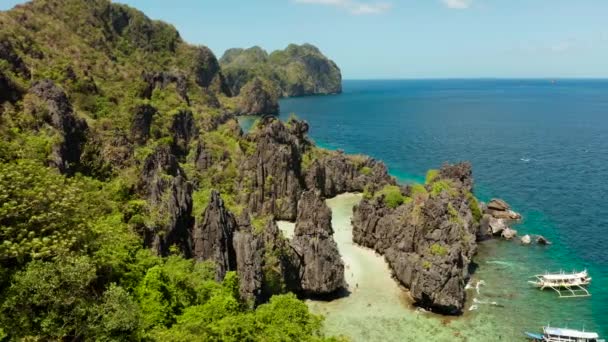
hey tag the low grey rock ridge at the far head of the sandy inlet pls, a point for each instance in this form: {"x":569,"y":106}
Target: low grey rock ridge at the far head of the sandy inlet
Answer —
{"x":340,"y":173}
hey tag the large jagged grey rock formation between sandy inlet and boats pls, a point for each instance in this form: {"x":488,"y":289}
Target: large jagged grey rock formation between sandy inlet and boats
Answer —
{"x":428,"y":241}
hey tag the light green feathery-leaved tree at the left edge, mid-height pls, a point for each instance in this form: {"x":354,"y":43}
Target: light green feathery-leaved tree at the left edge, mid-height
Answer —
{"x":42,"y":214}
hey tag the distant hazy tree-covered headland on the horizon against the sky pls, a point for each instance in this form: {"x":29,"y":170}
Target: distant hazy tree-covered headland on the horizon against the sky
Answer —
{"x":298,"y":70}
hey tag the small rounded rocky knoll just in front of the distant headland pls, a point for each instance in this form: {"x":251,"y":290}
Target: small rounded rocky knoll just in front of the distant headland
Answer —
{"x":256,"y":99}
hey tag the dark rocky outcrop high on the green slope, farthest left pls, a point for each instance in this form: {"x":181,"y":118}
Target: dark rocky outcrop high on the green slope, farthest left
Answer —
{"x":73,"y":130}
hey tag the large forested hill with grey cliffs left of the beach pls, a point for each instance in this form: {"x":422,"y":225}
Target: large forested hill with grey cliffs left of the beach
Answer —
{"x":133,"y":207}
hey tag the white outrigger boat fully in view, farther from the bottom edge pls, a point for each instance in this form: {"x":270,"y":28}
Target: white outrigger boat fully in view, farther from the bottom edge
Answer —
{"x":567,"y":285}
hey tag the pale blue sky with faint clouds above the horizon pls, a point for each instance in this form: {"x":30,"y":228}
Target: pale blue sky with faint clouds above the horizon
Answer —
{"x":373,"y":39}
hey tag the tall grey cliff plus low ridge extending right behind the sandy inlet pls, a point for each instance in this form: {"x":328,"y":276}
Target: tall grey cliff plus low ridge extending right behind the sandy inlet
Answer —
{"x":273,"y":178}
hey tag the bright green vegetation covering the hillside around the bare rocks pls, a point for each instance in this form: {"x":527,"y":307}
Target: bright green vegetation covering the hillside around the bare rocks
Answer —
{"x":72,"y":261}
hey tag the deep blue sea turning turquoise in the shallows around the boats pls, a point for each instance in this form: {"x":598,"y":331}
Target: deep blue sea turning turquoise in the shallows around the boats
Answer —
{"x":541,"y":145}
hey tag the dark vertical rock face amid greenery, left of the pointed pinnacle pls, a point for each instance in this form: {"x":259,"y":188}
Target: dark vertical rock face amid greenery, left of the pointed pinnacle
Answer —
{"x":169,"y":196}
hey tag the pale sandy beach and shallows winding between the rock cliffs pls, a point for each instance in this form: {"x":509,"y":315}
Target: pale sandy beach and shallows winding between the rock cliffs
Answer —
{"x":377,"y":308}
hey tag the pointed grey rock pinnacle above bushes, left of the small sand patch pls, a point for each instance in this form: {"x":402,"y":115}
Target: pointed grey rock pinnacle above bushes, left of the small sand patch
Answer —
{"x":213,"y":236}
